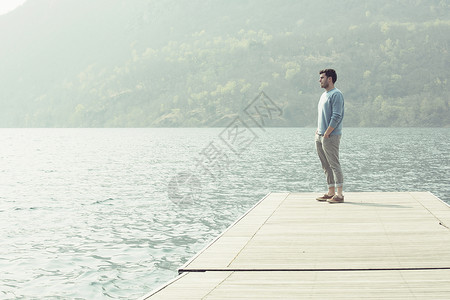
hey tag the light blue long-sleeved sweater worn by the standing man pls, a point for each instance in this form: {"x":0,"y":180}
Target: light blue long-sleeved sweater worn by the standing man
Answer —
{"x":331,"y":111}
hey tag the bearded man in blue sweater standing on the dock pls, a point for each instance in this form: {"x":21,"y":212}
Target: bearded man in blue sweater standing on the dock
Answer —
{"x":328,"y":135}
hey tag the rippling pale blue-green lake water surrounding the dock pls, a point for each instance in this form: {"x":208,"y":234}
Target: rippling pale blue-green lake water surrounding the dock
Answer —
{"x":112,"y":213}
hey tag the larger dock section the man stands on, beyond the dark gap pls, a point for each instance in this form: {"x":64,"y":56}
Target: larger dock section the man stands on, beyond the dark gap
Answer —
{"x":369,"y":231}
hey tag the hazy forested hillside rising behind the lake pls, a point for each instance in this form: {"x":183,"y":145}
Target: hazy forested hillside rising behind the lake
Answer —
{"x":145,"y":63}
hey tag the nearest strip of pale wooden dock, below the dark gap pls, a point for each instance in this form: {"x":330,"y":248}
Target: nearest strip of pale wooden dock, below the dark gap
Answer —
{"x":395,"y":284}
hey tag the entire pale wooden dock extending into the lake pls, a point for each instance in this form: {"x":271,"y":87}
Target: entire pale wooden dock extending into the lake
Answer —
{"x":289,"y":246}
